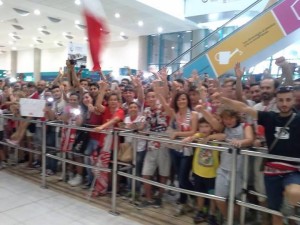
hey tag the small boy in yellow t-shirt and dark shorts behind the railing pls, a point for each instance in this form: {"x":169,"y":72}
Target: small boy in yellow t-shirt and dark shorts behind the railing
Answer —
{"x":205,"y":165}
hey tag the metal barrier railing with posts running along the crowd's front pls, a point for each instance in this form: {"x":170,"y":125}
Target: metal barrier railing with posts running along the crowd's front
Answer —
{"x":165,"y":139}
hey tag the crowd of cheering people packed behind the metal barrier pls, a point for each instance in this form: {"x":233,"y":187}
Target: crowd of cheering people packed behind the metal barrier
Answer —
{"x":263,"y":114}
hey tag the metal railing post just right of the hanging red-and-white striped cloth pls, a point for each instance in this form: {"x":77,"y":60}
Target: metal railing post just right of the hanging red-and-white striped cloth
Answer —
{"x":114,"y":174}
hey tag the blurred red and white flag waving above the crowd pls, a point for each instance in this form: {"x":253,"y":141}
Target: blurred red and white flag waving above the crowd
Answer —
{"x":96,"y":29}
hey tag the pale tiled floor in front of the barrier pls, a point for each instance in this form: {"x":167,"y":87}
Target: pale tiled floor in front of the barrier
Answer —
{"x":25,"y":203}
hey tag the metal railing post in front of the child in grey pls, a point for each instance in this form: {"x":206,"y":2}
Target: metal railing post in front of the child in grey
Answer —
{"x":231,"y":202}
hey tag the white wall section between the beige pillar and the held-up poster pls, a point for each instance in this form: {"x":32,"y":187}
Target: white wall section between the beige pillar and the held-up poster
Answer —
{"x":53,"y":59}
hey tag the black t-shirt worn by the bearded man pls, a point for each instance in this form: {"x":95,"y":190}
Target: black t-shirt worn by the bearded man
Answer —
{"x":289,"y":140}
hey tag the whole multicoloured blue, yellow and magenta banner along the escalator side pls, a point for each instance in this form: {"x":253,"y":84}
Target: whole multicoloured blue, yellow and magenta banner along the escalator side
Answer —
{"x":260,"y":39}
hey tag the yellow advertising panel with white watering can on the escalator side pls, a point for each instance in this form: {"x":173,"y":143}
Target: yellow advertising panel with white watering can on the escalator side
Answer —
{"x":245,"y":43}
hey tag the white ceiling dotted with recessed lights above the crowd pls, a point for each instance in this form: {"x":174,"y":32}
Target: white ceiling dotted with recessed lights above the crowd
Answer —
{"x":131,"y":12}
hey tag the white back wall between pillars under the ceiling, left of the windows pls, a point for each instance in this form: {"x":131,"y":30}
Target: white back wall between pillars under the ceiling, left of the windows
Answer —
{"x":116,"y":55}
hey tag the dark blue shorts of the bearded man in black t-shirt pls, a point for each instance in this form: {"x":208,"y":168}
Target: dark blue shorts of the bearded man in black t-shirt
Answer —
{"x":275,"y":186}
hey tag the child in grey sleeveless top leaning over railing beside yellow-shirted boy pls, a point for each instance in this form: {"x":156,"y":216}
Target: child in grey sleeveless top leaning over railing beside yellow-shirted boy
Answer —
{"x":238,"y":135}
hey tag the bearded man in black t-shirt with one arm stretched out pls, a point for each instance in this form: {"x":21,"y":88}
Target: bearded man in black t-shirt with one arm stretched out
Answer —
{"x":282,"y":178}
